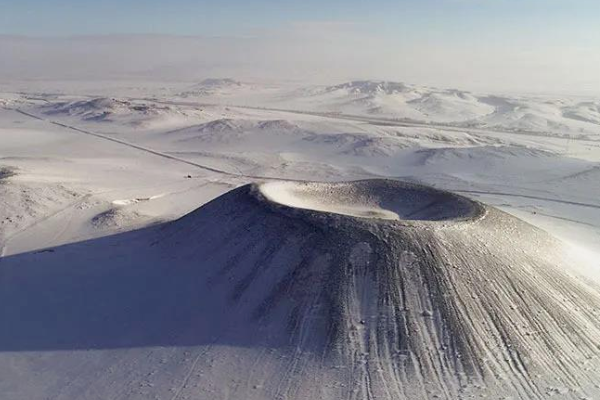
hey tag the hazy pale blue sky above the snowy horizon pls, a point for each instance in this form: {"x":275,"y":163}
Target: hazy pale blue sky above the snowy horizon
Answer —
{"x":533,"y":45}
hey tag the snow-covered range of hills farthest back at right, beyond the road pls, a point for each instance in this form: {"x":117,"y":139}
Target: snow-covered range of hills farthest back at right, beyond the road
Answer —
{"x":422,"y":103}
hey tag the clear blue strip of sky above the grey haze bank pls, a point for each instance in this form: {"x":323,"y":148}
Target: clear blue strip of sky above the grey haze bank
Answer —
{"x":578,"y":19}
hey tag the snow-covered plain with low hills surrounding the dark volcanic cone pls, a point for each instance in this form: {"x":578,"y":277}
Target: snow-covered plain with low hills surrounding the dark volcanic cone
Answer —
{"x":90,"y":174}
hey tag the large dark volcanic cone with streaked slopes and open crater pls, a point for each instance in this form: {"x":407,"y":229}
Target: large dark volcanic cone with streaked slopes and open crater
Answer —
{"x":398,"y":291}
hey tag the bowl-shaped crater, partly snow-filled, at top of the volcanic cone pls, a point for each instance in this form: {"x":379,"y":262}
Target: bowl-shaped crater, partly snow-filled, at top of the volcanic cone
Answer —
{"x":374,"y":198}
